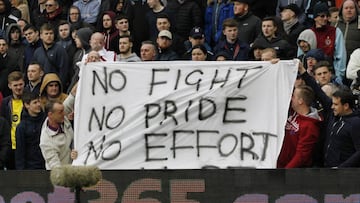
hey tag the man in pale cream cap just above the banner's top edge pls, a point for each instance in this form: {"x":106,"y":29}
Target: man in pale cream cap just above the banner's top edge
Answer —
{"x":163,"y":42}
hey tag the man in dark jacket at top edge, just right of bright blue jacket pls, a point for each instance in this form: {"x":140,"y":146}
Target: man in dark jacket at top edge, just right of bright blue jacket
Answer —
{"x":249,"y":25}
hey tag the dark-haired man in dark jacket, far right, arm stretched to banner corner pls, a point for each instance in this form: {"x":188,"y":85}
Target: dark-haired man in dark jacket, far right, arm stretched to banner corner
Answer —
{"x":342,"y":125}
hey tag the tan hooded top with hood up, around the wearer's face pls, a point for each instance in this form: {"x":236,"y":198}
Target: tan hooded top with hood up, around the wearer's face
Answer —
{"x":51,"y":77}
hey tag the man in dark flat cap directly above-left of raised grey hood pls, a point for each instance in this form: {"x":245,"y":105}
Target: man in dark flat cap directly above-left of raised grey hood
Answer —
{"x":292,"y":26}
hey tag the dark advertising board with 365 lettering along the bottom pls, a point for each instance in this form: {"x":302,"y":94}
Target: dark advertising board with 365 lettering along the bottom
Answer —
{"x":191,"y":186}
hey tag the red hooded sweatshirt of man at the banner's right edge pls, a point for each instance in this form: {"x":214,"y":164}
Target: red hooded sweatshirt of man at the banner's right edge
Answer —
{"x":301,"y":135}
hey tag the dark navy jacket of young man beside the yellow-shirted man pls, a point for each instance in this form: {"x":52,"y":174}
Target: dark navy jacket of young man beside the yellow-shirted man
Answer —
{"x":28,"y":154}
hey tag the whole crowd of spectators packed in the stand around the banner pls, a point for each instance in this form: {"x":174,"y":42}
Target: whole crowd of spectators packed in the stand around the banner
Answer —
{"x":41,"y":42}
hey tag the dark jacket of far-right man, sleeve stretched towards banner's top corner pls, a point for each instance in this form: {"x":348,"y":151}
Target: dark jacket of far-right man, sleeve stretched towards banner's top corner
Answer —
{"x":342,"y":133}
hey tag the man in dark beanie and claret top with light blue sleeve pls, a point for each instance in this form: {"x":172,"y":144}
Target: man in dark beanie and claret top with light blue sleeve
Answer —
{"x":330,"y":40}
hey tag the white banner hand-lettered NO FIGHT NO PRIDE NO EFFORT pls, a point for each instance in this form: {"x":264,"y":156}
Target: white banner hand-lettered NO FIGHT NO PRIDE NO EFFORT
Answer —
{"x":182,"y":114}
